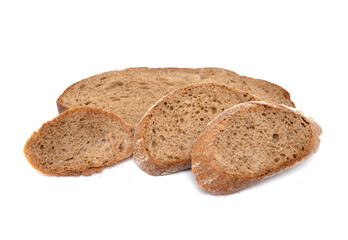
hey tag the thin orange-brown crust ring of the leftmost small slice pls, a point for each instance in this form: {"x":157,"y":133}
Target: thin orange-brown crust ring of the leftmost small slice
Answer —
{"x":88,"y":171}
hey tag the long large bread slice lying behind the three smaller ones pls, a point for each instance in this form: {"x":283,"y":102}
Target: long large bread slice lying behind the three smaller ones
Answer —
{"x":131,"y":92}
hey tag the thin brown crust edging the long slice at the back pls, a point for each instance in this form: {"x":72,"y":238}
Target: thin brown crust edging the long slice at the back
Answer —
{"x":61,"y":107}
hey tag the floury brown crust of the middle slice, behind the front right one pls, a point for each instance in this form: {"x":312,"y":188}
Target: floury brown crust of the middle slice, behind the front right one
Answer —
{"x":143,"y":158}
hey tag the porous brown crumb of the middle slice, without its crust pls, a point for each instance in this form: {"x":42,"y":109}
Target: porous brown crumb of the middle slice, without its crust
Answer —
{"x":177,"y":120}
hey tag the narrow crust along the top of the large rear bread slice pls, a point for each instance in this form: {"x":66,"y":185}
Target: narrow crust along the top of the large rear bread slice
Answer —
{"x":62,"y":107}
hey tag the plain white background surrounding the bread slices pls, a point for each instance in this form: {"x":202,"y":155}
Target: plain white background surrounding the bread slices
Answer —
{"x":48,"y":45}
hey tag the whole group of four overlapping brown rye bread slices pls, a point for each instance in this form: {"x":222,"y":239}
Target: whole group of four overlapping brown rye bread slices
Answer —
{"x":232,"y":131}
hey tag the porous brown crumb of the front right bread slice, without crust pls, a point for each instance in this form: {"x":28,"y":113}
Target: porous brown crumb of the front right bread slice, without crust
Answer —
{"x":259,"y":140}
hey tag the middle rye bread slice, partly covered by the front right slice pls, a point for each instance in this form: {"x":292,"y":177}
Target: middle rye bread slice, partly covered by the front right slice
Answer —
{"x":165,"y":136}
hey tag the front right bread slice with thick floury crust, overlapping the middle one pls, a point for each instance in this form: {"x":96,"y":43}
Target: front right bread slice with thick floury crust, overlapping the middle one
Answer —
{"x":251,"y":142}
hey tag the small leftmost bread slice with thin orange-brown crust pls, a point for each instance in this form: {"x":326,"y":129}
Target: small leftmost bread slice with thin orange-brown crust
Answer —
{"x":81,"y":140}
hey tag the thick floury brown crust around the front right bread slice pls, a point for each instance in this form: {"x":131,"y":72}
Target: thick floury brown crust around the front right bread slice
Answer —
{"x":211,"y":178}
